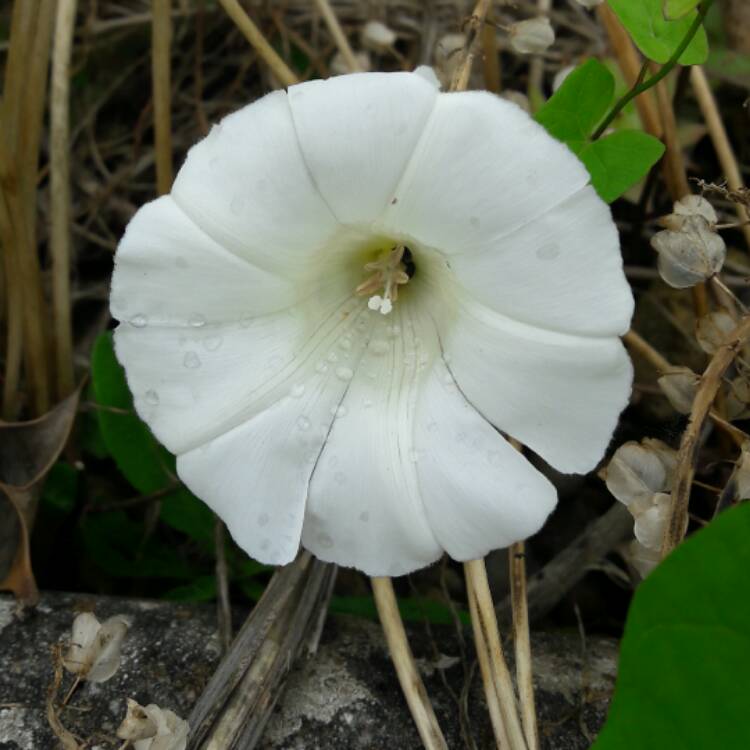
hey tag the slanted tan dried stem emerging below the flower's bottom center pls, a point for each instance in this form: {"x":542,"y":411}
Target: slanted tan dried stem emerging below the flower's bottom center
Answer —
{"x":406,"y":669}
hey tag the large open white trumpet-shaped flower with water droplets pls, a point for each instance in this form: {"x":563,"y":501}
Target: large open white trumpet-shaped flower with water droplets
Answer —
{"x":301,"y":414}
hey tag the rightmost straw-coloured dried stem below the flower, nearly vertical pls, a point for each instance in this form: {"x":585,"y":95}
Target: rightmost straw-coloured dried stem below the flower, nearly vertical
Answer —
{"x":522,"y":643}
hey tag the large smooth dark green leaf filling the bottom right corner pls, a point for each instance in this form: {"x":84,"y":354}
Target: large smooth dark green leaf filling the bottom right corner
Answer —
{"x":685,"y":655}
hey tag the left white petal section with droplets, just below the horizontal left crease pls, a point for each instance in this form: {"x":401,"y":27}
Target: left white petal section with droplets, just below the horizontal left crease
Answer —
{"x":192,"y":384}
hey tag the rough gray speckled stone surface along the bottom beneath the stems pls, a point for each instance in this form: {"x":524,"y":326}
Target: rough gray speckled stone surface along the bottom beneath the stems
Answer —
{"x":346,"y":697}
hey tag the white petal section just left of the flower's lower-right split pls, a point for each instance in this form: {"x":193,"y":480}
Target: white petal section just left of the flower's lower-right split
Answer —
{"x":479,"y":493}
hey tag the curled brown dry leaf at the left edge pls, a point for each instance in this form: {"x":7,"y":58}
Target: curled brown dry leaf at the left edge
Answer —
{"x":27,"y":452}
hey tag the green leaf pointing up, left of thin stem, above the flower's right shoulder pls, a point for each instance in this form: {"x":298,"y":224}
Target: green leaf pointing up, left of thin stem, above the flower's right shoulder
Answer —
{"x":573,"y":111}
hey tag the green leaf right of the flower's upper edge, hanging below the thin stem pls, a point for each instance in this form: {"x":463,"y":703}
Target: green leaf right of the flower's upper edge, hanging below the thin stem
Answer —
{"x":620,"y":160}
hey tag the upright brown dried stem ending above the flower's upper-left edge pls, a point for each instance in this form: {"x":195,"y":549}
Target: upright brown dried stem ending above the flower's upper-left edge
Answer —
{"x":161,"y":44}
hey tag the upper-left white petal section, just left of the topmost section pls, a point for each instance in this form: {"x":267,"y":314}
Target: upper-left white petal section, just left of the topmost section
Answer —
{"x":247,"y":185}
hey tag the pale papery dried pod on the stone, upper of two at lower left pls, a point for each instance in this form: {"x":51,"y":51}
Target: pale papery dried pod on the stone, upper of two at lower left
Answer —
{"x":95,"y":648}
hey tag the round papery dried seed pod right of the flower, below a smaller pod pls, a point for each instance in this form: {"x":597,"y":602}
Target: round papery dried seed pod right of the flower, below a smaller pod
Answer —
{"x":689,"y":255}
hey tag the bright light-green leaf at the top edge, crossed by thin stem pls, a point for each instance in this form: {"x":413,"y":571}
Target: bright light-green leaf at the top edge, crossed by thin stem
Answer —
{"x":657,"y":37}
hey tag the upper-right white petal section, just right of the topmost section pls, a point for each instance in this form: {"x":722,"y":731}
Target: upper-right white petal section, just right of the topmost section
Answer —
{"x":482,"y":169}
